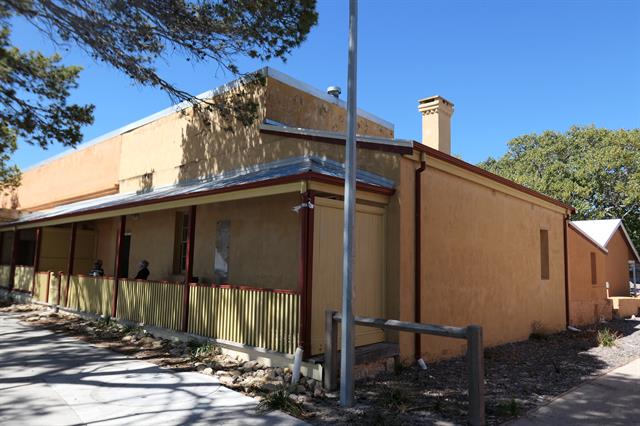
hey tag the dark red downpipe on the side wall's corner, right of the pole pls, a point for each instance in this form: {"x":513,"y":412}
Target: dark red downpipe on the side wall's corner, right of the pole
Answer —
{"x":417,"y":244}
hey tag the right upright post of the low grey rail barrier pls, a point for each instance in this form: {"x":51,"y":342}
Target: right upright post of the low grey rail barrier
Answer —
{"x":475,"y":355}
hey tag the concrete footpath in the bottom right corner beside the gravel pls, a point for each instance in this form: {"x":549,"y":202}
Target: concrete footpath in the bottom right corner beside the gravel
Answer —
{"x":612,"y":399}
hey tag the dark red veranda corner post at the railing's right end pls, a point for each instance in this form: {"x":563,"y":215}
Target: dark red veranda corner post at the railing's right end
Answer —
{"x":305,"y":271}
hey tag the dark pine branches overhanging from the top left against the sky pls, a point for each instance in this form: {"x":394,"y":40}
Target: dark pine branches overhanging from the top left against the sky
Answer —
{"x":132,"y":36}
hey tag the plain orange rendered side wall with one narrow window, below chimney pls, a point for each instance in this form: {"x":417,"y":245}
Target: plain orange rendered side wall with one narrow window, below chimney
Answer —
{"x":481,"y":264}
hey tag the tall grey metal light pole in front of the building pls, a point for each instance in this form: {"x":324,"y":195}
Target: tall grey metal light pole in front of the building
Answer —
{"x":348,"y":256}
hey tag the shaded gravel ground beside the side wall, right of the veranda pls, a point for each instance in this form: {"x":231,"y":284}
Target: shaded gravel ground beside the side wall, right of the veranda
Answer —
{"x":519,"y":377}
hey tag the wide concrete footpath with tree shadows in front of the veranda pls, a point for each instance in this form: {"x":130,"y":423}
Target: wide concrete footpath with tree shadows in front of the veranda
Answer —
{"x":50,"y":379}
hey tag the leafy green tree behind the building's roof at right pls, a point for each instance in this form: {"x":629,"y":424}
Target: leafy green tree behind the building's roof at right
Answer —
{"x":595,"y":170}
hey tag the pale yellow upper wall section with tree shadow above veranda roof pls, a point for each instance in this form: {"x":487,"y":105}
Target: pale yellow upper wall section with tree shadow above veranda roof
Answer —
{"x":181,"y":146}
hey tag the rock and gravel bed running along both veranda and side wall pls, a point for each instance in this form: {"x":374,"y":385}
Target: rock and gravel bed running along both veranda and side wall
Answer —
{"x":519,"y":376}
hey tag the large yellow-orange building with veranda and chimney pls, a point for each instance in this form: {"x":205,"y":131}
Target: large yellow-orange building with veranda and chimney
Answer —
{"x":252,"y":218}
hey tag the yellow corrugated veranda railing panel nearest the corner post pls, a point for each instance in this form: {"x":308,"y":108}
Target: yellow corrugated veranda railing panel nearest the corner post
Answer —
{"x":256,"y":317}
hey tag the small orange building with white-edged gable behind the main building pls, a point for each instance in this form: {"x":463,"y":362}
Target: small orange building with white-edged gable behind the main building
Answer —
{"x":601,"y":259}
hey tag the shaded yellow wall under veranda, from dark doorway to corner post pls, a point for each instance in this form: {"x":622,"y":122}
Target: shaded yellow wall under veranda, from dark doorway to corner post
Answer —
{"x":264,"y":243}
